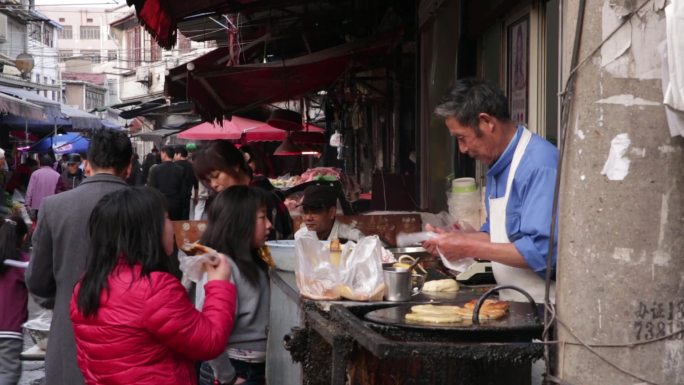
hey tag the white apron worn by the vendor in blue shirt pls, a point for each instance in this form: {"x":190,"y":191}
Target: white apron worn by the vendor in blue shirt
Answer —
{"x":525,"y":279}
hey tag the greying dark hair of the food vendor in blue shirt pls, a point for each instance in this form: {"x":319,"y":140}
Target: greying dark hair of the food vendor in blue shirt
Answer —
{"x":469,"y":97}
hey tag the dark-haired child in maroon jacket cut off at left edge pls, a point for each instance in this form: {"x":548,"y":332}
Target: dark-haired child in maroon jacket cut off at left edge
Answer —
{"x":13,"y":298}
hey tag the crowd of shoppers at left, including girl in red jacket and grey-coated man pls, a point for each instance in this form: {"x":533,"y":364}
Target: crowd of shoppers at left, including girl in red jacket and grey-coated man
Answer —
{"x":119,"y":311}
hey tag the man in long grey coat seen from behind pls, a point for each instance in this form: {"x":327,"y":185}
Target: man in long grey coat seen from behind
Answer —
{"x":61,"y":243}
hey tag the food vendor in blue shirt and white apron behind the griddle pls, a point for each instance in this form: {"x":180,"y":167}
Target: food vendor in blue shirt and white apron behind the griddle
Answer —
{"x":519,"y":193}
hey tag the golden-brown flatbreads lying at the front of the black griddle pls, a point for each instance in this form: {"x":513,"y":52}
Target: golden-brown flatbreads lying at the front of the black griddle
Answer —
{"x":441,"y":314}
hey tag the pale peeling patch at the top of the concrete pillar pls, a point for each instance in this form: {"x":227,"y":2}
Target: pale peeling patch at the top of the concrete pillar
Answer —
{"x":641,"y":34}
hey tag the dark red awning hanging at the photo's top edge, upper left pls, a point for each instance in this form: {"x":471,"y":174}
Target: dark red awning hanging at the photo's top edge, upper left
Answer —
{"x":160,"y":17}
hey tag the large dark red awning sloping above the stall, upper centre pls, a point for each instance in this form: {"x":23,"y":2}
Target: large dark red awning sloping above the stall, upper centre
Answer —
{"x":218,"y":90}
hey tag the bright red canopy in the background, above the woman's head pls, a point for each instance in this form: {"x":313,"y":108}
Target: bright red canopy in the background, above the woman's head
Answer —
{"x":247,"y":131}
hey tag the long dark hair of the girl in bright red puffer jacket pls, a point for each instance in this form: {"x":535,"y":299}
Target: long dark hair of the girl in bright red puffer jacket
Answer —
{"x":126,"y":225}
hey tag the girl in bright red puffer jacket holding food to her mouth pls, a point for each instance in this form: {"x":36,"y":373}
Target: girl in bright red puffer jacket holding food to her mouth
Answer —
{"x":133,"y":321}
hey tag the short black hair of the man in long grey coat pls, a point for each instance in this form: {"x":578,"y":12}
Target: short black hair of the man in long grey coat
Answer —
{"x":110,"y":149}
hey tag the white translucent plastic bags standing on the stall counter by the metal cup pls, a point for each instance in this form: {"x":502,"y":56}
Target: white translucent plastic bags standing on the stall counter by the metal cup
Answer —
{"x":357,"y":275}
